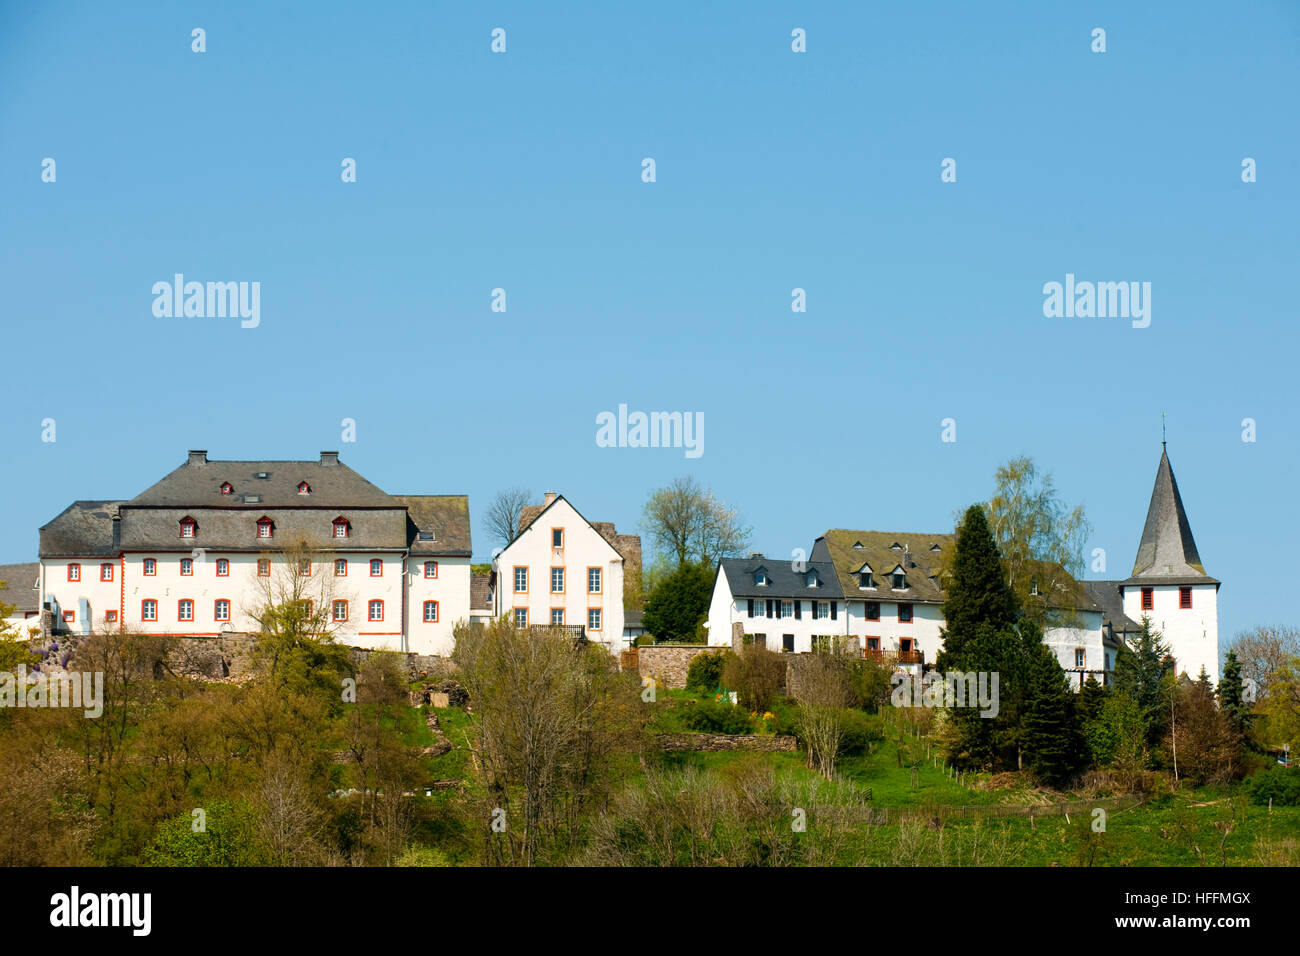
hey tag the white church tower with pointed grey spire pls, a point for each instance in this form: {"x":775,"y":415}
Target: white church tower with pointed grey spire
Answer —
{"x":1169,"y":583}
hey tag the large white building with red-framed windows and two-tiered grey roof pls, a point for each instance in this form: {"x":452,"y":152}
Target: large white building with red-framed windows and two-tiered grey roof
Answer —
{"x":202,"y":551}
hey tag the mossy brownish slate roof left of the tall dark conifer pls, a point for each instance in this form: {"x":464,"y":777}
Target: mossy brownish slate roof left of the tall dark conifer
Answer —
{"x":924,"y":564}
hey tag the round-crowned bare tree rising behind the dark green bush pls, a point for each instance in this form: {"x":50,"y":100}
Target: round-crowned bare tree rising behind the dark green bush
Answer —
{"x":688,"y":522}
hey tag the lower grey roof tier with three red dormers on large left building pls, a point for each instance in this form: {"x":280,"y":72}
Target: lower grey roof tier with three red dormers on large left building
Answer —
{"x":236,"y":530}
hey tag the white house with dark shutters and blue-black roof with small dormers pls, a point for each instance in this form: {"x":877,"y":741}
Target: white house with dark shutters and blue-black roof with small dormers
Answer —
{"x":782,"y":605}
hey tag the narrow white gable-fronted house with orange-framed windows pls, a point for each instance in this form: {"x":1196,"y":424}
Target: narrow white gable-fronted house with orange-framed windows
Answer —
{"x":565,"y":572}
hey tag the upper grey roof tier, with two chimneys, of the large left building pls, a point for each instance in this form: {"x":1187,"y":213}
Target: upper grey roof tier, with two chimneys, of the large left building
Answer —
{"x":198,"y":483}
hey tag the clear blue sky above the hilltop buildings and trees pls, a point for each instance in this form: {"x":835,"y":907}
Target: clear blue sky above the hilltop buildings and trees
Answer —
{"x":774,"y":171}
